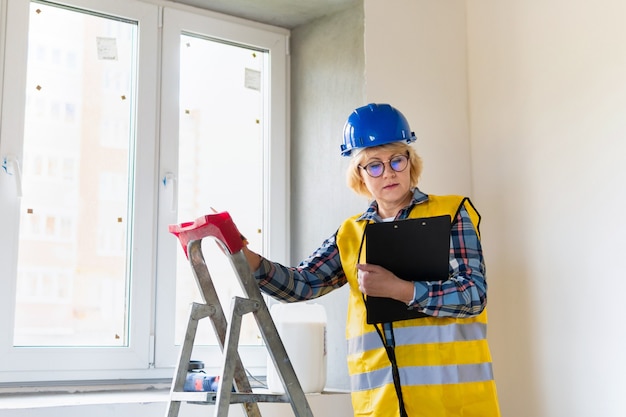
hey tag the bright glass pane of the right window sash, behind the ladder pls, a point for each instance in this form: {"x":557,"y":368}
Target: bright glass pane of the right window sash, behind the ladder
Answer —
{"x":220,"y":162}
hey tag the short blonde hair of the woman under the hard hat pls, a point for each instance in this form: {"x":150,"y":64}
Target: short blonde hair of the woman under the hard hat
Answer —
{"x":353,"y":175}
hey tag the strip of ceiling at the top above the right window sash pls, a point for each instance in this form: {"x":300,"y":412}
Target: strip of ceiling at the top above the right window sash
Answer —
{"x":284,"y":13}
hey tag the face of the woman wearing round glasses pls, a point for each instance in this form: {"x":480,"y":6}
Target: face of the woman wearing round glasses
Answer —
{"x":392,"y":188}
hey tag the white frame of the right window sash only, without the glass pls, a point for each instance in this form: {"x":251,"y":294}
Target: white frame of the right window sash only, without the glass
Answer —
{"x":275,"y":164}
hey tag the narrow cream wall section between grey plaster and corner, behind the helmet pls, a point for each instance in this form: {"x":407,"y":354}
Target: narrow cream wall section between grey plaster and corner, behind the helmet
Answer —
{"x":415,"y":59}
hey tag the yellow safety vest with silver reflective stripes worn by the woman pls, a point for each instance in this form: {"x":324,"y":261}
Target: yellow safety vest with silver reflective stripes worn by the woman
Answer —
{"x":444,"y":363}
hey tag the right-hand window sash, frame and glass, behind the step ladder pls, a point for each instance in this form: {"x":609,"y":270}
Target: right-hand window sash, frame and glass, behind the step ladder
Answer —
{"x":224,"y":99}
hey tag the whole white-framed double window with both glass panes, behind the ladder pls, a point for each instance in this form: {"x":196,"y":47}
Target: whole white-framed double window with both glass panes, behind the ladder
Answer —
{"x":95,"y":167}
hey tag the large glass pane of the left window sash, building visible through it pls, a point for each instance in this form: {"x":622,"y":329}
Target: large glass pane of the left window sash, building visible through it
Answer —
{"x":73,"y":247}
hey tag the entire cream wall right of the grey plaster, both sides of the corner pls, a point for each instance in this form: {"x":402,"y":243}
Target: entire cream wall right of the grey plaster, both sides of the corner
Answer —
{"x":547,"y":106}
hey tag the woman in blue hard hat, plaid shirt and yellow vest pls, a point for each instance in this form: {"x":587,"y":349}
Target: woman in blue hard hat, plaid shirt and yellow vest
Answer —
{"x":436,"y":365}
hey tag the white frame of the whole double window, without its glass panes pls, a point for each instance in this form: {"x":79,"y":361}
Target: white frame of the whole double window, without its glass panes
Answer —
{"x":151,"y":352}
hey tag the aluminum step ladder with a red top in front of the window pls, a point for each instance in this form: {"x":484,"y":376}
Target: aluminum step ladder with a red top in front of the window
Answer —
{"x":221,"y":227}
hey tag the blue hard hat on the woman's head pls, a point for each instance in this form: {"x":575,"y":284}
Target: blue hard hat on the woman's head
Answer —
{"x":374,"y":125}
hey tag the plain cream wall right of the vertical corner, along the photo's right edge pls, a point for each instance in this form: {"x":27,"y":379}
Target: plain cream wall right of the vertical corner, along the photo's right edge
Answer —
{"x":548,"y":101}
